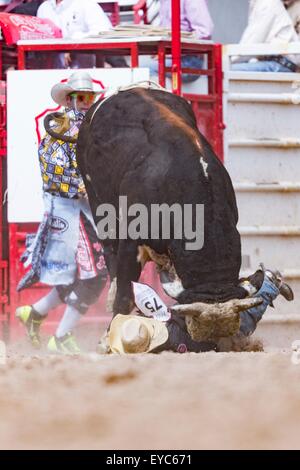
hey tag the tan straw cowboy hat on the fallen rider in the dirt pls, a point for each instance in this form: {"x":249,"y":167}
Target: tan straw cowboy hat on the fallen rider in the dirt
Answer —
{"x":130,"y":334}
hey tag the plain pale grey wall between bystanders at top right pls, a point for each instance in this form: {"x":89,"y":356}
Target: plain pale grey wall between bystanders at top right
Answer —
{"x":230,"y":19}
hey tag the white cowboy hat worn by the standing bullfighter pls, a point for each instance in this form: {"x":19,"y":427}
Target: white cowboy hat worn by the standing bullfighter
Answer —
{"x":77,"y":82}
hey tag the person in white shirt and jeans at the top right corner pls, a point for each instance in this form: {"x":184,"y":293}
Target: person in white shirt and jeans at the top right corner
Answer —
{"x":268,"y":22}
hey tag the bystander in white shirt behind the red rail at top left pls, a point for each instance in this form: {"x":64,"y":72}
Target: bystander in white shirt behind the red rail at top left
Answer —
{"x":77,"y":19}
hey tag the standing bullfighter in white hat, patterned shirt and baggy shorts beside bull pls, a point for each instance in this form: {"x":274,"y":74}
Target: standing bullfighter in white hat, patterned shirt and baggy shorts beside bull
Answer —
{"x":65,"y":253}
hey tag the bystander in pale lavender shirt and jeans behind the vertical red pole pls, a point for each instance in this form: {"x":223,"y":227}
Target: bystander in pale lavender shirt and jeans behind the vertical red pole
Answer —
{"x":194,"y":18}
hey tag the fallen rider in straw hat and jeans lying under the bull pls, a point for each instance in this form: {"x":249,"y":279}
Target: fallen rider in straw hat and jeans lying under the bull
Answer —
{"x":199,"y":327}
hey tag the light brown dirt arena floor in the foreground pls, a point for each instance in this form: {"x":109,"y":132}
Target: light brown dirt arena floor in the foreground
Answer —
{"x":169,"y":401}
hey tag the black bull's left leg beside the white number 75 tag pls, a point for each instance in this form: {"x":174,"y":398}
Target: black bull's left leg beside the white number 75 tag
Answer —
{"x":128,"y":270}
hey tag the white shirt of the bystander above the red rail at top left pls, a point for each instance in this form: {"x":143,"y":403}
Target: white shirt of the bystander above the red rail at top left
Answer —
{"x":76,"y":18}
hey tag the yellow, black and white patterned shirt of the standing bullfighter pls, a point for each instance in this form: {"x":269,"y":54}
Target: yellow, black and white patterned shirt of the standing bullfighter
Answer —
{"x":58,"y":163}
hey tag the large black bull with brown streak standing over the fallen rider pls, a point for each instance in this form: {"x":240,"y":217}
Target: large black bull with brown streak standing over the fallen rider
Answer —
{"x":145,"y":144}
